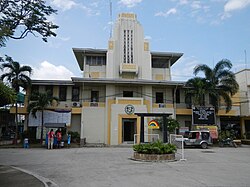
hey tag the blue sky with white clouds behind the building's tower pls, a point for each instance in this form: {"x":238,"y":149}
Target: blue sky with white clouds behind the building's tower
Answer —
{"x":205,"y":31}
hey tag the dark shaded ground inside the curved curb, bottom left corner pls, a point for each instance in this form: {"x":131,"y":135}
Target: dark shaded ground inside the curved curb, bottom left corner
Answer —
{"x":11,"y":176}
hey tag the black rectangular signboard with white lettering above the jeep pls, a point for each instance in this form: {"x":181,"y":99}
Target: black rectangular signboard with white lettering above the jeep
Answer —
{"x":203,"y":116}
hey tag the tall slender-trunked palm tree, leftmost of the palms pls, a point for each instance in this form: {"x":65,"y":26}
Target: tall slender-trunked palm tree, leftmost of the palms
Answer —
{"x":17,"y":76}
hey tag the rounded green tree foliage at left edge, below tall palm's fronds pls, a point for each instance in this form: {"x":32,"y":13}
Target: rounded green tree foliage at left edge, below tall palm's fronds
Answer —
{"x":7,"y":95}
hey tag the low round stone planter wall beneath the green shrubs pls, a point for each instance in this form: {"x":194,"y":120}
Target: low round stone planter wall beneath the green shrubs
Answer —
{"x":154,"y":157}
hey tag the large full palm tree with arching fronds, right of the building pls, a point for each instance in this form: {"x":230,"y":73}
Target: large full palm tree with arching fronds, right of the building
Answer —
{"x":220,"y":83}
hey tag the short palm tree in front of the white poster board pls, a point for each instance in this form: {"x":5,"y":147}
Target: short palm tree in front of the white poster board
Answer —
{"x":39,"y":102}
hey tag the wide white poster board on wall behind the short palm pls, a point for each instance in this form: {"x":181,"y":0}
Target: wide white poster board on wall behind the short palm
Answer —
{"x":57,"y":116}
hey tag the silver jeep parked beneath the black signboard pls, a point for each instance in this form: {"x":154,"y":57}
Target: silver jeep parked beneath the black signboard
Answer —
{"x":199,"y":138}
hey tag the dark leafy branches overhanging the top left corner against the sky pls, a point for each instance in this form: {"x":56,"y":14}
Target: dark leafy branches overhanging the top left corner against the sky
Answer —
{"x":19,"y":18}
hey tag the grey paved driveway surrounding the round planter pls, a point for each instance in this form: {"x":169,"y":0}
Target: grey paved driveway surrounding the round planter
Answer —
{"x":112,"y":167}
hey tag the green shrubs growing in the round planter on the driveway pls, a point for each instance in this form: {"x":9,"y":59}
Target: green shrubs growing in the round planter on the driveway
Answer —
{"x":155,"y":148}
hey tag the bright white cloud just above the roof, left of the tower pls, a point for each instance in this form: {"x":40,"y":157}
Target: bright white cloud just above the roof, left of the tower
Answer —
{"x":48,"y":71}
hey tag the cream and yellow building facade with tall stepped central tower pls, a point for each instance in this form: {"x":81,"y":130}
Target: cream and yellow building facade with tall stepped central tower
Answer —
{"x":119,"y":82}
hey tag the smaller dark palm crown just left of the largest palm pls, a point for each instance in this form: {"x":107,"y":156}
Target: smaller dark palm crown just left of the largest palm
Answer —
{"x":196,"y":90}
